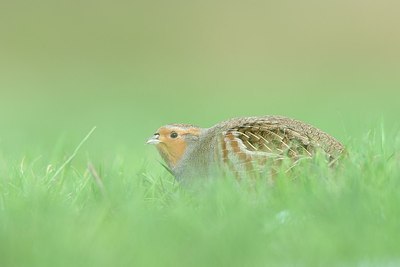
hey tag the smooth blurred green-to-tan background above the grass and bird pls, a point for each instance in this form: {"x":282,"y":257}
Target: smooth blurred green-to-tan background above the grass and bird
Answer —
{"x":131,"y":66}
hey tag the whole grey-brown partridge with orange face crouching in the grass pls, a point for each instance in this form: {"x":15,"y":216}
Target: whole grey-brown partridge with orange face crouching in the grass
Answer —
{"x":240,"y":145}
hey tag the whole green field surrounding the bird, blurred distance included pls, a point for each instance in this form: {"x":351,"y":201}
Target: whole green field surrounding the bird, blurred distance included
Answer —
{"x":73,"y":196}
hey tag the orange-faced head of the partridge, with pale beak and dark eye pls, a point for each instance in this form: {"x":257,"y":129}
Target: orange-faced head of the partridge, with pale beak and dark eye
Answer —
{"x":173,"y":140}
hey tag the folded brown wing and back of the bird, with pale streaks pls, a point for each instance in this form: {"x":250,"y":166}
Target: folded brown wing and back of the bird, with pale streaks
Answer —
{"x":253,"y":141}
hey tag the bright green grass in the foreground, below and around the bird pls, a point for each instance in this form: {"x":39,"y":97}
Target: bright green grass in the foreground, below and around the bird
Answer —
{"x":76,"y":211}
